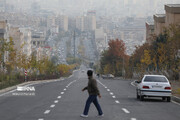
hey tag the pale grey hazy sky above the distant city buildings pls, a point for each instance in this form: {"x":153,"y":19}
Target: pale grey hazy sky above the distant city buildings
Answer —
{"x":103,"y":7}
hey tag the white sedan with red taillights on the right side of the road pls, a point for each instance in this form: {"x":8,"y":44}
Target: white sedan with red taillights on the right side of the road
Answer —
{"x":154,"y":86}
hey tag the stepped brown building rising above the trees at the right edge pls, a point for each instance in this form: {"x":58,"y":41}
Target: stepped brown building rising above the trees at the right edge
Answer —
{"x":162,"y":21}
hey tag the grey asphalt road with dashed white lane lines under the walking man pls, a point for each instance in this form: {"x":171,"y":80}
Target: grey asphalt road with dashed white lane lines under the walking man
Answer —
{"x":64,"y":100}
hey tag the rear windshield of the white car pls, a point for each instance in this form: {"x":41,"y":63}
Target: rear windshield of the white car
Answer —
{"x":155,"y":79}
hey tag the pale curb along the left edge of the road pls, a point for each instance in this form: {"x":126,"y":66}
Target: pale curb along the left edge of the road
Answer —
{"x":28,"y":83}
